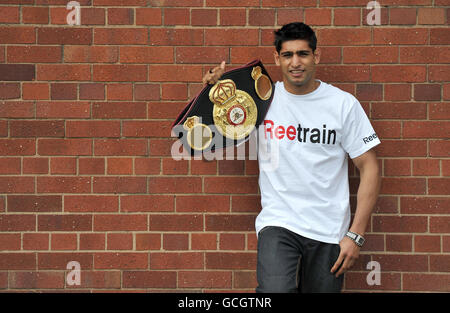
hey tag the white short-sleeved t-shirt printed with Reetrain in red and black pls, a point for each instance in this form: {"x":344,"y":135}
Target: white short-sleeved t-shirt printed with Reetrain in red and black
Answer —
{"x":303,"y":146}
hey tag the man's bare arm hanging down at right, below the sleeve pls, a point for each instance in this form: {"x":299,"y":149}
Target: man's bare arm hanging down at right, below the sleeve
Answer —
{"x":369,"y":187}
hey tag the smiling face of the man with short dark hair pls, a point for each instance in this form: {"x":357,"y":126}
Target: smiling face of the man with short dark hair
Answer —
{"x":298,"y":65}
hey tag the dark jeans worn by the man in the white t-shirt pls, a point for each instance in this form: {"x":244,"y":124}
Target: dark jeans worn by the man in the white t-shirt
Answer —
{"x":288,"y":262}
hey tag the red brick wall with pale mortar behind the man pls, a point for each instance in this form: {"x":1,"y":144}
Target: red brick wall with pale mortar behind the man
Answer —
{"x":85,"y":163}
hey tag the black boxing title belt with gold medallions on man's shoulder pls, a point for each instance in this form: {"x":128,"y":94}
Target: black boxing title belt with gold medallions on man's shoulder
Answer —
{"x":225,"y":113}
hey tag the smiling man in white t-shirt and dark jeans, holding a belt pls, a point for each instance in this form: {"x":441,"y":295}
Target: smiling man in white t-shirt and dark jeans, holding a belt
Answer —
{"x":304,"y":240}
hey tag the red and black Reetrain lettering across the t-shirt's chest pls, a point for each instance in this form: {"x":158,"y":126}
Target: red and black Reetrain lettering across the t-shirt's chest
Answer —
{"x":302,"y":134}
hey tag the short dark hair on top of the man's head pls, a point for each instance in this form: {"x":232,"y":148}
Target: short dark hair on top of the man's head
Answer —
{"x":293,"y":31}
